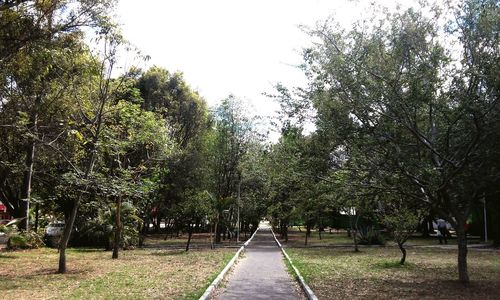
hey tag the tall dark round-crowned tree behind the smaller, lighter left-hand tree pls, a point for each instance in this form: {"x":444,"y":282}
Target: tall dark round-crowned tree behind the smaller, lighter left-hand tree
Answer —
{"x":187,"y":117}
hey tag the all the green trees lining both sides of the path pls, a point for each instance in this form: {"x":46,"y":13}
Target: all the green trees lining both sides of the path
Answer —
{"x":405,"y":109}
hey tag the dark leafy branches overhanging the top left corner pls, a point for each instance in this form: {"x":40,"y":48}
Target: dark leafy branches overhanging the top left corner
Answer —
{"x":30,"y":24}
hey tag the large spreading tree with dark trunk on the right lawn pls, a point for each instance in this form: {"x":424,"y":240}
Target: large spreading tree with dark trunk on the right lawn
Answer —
{"x":413,"y":107}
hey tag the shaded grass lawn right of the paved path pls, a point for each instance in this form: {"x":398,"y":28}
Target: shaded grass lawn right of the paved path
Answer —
{"x":340,"y":273}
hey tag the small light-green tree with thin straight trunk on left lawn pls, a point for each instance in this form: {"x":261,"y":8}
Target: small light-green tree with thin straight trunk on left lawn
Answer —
{"x":134,"y":142}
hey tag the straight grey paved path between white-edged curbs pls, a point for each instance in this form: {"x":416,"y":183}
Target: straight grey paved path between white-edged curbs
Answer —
{"x":261,"y":273}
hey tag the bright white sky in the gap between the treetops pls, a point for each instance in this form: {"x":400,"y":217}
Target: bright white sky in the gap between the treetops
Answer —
{"x":231,"y":46}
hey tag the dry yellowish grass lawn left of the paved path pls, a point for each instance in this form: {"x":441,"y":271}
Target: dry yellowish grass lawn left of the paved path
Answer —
{"x":92,"y":274}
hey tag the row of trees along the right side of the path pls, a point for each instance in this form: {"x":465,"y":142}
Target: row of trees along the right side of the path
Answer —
{"x":407,"y":122}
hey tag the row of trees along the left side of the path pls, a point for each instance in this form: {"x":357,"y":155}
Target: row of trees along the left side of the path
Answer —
{"x":111,"y":155}
